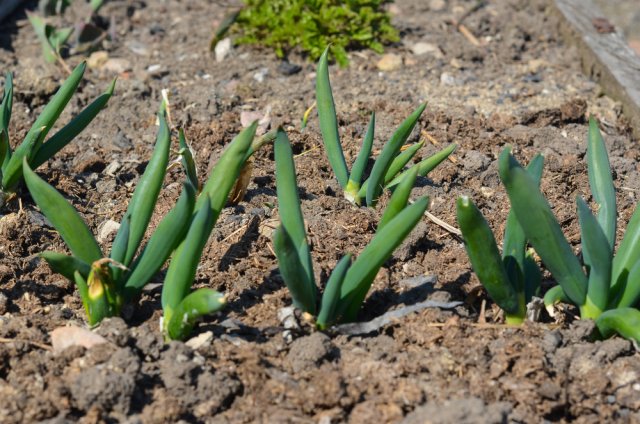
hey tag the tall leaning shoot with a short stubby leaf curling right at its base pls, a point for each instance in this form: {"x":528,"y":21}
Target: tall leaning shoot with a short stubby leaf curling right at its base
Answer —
{"x":181,"y":306}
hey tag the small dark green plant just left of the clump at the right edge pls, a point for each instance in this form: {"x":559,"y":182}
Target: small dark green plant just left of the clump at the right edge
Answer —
{"x":513,"y":278}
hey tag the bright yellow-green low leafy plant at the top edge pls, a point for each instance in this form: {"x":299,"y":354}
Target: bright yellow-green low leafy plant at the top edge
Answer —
{"x":311,"y":25}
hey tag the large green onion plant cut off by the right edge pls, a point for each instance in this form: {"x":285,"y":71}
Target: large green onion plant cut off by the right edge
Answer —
{"x":605,"y":287}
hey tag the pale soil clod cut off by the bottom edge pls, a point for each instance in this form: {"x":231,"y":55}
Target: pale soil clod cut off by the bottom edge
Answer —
{"x":462,"y":411}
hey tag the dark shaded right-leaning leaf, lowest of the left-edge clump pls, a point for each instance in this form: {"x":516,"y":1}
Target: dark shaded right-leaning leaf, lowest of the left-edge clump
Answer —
{"x":72,"y":129}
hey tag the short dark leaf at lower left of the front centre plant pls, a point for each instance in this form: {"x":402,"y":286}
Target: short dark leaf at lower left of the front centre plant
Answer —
{"x":293,"y":272}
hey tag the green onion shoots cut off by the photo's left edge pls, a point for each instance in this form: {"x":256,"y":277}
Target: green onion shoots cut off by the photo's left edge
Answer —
{"x":33,"y":149}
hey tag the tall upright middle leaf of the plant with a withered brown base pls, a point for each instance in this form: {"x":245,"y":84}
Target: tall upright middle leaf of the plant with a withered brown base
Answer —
{"x":144,"y":197}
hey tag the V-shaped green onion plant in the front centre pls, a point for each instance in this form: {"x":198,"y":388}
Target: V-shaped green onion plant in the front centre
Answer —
{"x":349,"y":282}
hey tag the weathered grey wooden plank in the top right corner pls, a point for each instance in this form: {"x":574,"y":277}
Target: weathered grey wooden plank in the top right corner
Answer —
{"x":606,"y":56}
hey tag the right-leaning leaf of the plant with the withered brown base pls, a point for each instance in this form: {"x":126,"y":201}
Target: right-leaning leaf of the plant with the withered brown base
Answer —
{"x":170,"y":232}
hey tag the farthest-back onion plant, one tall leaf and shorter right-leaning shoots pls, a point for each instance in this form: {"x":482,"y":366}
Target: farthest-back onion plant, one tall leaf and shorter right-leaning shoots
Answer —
{"x":388,"y":167}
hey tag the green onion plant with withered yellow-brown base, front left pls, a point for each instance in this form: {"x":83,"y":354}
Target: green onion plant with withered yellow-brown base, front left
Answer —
{"x":105,"y":283}
